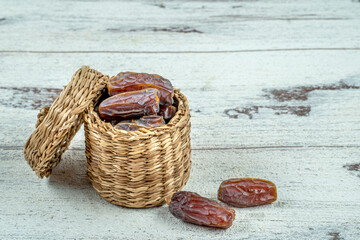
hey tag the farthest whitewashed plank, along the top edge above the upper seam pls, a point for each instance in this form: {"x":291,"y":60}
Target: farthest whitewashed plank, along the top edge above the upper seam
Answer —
{"x":139,"y":26}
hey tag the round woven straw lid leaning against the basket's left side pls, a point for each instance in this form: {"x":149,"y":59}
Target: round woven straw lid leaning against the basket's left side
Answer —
{"x":59,"y":123}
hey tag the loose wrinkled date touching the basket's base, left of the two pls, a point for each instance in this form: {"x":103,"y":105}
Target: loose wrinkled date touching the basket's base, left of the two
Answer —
{"x":191,"y":207}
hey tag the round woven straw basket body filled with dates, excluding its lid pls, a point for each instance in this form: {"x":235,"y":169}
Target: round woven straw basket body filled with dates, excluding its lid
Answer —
{"x":139,"y":169}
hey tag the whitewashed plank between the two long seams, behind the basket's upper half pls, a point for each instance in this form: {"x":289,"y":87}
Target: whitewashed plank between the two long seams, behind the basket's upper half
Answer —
{"x":252,"y":99}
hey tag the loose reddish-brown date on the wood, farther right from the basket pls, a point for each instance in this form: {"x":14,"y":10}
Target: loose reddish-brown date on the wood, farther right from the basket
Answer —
{"x":247,"y":192}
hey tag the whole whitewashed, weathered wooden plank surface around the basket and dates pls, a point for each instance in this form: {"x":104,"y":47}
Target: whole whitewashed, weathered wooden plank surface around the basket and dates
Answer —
{"x":274,"y":89}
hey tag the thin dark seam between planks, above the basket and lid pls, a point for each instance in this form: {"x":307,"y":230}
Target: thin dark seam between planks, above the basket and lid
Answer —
{"x":183,"y":52}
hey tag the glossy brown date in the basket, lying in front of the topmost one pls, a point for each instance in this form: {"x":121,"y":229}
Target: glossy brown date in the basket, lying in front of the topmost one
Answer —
{"x":130,"y":104}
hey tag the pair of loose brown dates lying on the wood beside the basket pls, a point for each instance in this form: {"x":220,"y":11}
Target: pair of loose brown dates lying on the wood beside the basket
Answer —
{"x":237,"y":192}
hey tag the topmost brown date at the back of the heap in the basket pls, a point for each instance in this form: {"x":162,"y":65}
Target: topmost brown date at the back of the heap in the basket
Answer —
{"x":130,"y":81}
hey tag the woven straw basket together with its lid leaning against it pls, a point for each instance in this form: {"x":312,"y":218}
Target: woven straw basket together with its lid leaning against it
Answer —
{"x":135,"y":169}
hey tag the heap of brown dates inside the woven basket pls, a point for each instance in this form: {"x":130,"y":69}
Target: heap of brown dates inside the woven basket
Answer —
{"x":137,"y":100}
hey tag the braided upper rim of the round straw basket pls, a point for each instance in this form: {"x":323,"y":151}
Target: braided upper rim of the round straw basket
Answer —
{"x":176,"y":121}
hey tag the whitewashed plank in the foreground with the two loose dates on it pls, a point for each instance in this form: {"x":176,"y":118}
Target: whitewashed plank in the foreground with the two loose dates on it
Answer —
{"x":317,"y":198}
